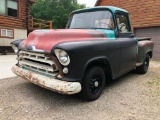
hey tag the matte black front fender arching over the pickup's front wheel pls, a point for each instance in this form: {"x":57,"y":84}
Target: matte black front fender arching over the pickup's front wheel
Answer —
{"x":82,"y":53}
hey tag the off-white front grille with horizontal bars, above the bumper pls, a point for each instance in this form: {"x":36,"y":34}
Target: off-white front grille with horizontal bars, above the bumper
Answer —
{"x":37,"y":62}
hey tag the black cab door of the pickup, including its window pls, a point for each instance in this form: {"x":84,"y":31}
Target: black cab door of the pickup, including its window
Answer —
{"x":128,"y":43}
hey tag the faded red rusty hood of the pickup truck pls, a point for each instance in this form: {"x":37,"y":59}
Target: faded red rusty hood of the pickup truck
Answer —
{"x":46,"y":39}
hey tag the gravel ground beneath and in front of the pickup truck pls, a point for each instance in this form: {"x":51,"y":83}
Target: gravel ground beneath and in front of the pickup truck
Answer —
{"x":131,"y":97}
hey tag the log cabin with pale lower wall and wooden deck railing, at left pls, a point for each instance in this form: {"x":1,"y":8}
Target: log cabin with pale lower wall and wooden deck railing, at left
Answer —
{"x":16,"y":22}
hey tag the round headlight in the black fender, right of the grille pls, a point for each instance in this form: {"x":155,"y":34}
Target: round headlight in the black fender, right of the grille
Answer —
{"x":62,"y":56}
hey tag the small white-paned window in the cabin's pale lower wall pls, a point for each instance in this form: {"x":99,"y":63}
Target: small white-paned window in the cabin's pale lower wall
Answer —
{"x":8,"y":33}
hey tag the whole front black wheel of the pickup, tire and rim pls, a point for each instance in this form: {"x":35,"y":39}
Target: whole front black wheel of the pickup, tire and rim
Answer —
{"x":93,"y":83}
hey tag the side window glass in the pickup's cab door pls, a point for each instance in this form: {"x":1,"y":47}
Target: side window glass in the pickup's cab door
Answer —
{"x":123,"y":23}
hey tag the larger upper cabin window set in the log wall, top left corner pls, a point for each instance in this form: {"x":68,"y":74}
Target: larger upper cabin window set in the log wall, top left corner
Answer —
{"x":9,"y":7}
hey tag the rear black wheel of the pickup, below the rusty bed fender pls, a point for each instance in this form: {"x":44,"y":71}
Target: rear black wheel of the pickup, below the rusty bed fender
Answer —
{"x":144,"y":67}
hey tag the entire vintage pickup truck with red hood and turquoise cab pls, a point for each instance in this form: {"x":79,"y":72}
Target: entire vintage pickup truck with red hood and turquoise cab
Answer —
{"x":97,"y":44}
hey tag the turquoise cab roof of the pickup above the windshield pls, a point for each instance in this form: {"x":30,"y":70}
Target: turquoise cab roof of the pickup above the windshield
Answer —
{"x":111,"y":8}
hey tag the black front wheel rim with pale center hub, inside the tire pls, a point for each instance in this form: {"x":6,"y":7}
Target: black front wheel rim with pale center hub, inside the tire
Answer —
{"x":95,"y":83}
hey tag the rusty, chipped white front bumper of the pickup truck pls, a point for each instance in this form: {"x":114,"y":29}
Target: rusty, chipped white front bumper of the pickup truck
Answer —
{"x":53,"y":84}
